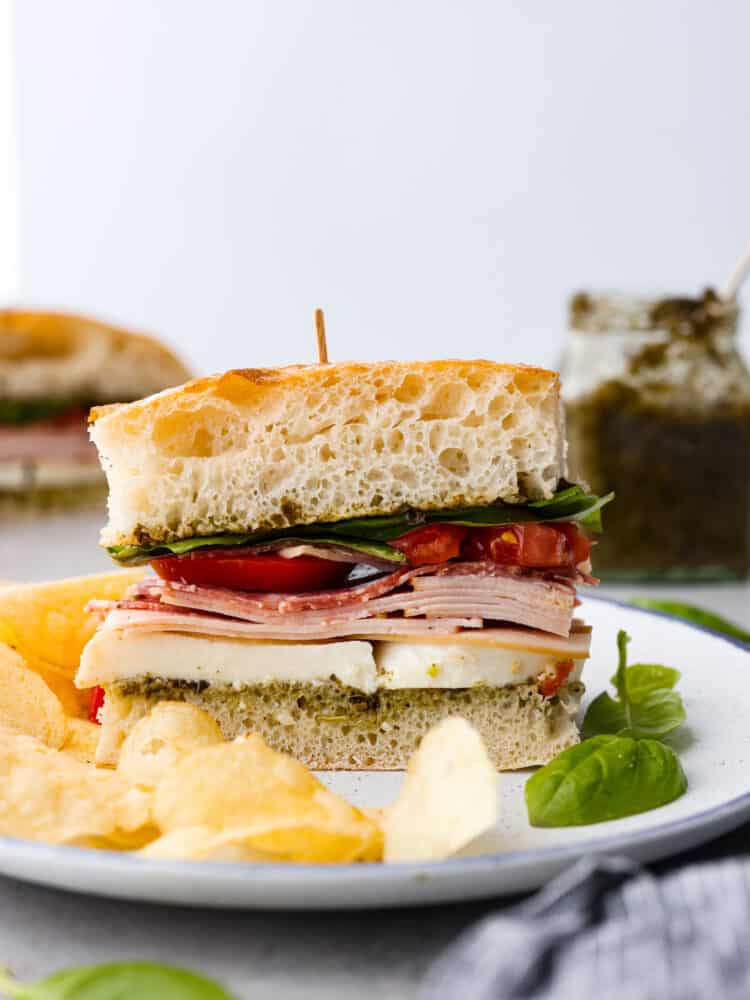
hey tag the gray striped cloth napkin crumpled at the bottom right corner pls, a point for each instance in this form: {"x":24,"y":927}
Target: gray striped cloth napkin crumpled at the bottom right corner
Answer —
{"x":606,"y":930}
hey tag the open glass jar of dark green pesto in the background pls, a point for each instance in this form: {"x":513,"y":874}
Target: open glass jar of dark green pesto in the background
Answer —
{"x":657,"y":400}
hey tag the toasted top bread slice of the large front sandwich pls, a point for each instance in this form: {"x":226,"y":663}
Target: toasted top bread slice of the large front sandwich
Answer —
{"x":272,"y":448}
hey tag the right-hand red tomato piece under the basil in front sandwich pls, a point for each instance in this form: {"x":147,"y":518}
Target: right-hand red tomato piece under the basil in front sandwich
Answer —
{"x":533,"y":545}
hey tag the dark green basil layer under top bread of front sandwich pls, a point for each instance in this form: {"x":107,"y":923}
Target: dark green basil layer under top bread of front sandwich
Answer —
{"x":370,"y":535}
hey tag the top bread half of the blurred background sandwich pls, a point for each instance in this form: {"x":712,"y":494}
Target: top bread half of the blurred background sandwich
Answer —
{"x":47,"y":355}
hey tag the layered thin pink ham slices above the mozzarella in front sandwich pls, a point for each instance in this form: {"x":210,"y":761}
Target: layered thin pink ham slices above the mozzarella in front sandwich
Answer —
{"x":470,"y":591}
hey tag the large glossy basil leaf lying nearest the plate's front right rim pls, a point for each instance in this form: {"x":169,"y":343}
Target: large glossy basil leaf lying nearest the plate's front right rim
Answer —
{"x":604,"y":778}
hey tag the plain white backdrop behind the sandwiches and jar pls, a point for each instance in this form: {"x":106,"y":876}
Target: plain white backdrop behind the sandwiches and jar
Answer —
{"x":437,"y":175}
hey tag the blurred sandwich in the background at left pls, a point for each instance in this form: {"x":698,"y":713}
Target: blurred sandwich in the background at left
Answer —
{"x":53,"y":367}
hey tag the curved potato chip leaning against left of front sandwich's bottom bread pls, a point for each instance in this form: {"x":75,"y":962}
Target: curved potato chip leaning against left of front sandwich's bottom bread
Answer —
{"x":171,"y":730}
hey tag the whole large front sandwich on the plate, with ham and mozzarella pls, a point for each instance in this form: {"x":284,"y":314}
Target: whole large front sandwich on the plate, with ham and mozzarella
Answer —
{"x":345,"y":554}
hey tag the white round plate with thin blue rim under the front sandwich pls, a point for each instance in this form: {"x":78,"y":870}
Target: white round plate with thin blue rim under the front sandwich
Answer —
{"x":714,"y":747}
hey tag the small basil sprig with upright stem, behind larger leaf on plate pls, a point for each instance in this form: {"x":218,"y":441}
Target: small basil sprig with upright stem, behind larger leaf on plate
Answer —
{"x":646,"y":706}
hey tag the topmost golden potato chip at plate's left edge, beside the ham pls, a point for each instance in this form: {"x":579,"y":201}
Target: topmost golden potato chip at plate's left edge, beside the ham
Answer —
{"x":46,"y":622}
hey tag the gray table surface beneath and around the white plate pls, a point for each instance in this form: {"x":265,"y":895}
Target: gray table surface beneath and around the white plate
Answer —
{"x":380,"y":954}
